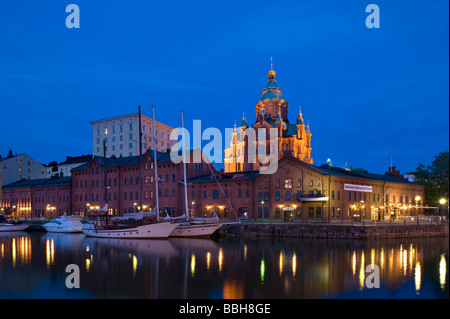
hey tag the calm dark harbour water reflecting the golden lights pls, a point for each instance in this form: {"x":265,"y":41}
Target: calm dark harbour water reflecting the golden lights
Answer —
{"x":33,"y":265}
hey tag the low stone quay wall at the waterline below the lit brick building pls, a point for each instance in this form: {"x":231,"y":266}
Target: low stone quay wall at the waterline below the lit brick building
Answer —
{"x":334,"y":231}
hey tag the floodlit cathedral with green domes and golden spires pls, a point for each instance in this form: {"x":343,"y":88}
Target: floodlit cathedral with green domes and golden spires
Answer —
{"x":271,"y":112}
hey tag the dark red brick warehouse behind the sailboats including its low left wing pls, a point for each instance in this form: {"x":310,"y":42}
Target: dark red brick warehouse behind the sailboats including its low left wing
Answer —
{"x":85,"y":188}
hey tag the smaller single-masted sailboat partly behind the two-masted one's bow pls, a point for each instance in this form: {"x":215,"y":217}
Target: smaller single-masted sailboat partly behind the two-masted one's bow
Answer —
{"x":198,"y":227}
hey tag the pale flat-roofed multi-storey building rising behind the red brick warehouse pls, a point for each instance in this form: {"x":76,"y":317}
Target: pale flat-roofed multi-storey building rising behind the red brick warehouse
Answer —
{"x":121,"y":135}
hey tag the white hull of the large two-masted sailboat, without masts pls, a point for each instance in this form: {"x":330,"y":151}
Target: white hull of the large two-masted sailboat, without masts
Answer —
{"x":156,"y":230}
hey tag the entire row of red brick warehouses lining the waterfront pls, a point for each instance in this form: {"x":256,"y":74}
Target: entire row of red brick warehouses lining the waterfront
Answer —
{"x":296,"y":191}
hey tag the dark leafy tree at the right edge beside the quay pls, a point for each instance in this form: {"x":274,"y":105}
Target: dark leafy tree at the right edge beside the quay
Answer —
{"x":435,"y":178}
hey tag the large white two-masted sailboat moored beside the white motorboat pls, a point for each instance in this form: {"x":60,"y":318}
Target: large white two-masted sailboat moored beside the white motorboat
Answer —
{"x":137,"y":226}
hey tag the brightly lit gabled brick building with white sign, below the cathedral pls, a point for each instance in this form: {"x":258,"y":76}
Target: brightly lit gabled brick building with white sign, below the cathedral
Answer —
{"x":301,"y":191}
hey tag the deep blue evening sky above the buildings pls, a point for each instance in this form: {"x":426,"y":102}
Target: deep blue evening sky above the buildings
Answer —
{"x":363,"y":91}
